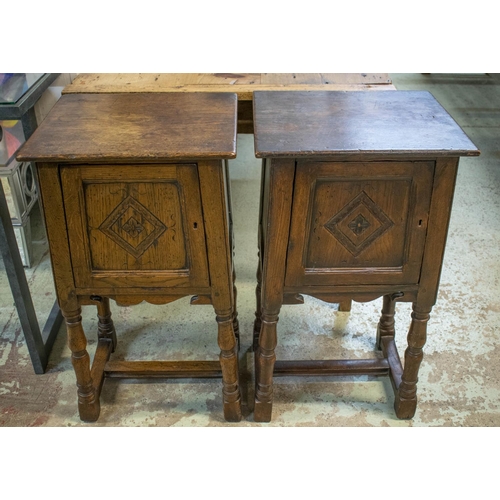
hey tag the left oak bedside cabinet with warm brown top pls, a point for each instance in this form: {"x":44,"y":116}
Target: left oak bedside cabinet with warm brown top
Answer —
{"x":134,"y":192}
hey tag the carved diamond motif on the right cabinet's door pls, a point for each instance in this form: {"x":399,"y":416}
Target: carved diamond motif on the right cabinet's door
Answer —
{"x":359,"y":224}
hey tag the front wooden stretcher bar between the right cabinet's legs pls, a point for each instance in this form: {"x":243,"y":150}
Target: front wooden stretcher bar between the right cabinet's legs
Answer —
{"x":338,"y":367}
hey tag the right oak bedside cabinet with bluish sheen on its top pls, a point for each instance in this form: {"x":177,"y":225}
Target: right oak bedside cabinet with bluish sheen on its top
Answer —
{"x":356,"y":198}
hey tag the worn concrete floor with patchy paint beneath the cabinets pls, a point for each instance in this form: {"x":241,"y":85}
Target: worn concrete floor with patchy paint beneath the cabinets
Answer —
{"x":459,"y":383}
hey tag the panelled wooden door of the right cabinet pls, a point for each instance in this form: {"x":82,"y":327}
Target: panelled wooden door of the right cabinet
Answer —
{"x":358,"y":223}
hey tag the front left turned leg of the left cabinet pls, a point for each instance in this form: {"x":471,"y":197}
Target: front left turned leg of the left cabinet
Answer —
{"x":88,"y":404}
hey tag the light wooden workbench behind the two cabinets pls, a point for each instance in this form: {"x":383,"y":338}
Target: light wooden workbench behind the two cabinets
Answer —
{"x":242,"y":84}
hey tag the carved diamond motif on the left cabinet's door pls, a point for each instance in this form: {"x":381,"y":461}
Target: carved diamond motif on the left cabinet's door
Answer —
{"x":132,"y":226}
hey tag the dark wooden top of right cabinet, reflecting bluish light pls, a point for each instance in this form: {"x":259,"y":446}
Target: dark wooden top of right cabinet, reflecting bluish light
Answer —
{"x":305,"y":124}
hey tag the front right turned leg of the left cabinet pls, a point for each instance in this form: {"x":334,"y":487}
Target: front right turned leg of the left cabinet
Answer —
{"x":229,"y":365}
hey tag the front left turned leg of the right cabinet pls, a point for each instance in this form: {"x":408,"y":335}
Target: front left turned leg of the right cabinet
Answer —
{"x":264,"y":366}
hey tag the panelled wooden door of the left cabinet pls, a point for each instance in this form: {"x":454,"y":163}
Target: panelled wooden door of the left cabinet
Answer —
{"x":135,"y":226}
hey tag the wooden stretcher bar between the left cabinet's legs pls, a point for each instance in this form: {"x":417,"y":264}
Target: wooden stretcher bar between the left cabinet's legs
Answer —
{"x":163,"y":369}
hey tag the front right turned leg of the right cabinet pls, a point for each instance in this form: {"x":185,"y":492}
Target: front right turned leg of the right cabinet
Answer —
{"x":406,"y":396}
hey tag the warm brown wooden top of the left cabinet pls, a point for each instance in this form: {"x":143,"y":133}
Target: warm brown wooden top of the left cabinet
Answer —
{"x":136,"y":127}
